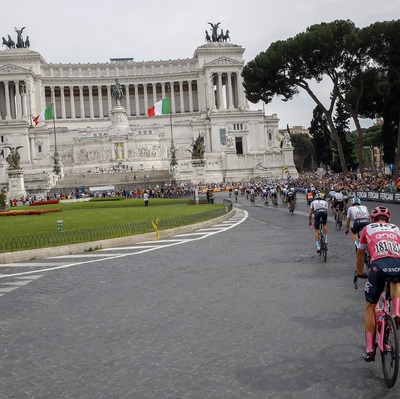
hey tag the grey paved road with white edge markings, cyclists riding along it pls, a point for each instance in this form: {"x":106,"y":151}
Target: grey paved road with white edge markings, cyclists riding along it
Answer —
{"x":246,"y":309}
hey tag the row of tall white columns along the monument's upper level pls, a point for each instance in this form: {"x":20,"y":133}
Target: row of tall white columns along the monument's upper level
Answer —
{"x":93,"y":99}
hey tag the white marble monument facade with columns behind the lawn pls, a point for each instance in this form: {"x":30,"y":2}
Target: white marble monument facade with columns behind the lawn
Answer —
{"x":92,"y":133}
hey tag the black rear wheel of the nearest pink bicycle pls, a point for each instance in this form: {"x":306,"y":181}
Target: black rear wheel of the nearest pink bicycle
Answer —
{"x":390,"y":354}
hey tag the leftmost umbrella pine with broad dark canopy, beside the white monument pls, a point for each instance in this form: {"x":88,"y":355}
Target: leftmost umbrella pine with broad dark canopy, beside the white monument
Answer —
{"x":287,"y":66}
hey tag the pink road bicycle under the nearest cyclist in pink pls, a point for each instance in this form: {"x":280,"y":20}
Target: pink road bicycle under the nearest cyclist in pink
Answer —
{"x":386,"y":339}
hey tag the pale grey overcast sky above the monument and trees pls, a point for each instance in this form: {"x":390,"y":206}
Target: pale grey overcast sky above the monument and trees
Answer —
{"x":82,"y":31}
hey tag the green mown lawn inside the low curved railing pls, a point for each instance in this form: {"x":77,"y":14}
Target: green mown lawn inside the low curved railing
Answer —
{"x":83,"y":215}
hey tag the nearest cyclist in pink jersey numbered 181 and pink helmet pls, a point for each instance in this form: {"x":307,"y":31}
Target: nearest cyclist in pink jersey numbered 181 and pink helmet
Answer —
{"x":382,"y":239}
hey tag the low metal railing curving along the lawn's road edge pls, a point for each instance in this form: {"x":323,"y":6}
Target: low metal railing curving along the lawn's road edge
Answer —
{"x":65,"y":237}
